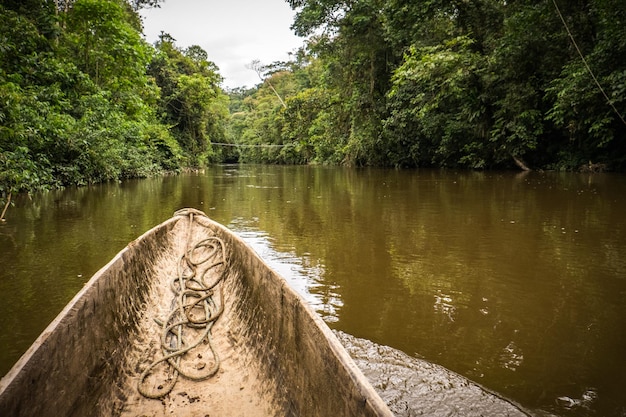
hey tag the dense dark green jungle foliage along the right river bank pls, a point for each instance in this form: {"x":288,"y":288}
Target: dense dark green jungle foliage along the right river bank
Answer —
{"x":446,"y":83}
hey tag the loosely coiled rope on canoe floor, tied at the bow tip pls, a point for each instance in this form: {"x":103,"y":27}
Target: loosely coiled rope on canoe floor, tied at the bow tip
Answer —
{"x":195,"y":309}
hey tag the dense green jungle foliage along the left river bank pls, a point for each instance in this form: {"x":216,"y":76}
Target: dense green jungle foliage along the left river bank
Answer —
{"x":84,"y":98}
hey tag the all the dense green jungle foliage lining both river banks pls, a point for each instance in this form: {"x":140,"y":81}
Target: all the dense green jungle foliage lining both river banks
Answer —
{"x":456,"y":83}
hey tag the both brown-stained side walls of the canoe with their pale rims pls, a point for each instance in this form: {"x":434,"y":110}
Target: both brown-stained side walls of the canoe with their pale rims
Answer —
{"x":294,"y":329}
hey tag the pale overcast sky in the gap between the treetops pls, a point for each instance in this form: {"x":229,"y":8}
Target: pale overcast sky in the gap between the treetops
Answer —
{"x":233,"y":32}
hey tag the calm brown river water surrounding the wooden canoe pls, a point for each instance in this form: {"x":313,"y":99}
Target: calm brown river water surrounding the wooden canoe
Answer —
{"x":514,"y":280}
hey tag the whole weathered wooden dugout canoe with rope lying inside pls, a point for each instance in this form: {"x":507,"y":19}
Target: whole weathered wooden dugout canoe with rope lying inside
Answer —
{"x":187,"y":320}
